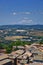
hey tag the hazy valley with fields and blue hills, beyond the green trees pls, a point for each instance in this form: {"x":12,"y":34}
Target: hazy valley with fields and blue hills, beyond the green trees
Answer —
{"x":23,"y":33}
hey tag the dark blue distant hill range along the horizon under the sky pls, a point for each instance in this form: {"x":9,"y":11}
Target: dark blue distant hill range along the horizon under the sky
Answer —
{"x":22,"y":27}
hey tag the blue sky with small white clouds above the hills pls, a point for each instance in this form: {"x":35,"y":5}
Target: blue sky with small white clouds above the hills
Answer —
{"x":21,"y":12}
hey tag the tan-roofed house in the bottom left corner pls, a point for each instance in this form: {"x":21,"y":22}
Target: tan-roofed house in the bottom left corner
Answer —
{"x":4,"y":60}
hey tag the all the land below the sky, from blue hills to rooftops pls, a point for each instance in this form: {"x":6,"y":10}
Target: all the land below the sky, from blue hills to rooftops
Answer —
{"x":21,"y":45}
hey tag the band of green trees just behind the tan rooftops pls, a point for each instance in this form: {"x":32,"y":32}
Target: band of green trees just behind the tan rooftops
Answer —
{"x":9,"y":46}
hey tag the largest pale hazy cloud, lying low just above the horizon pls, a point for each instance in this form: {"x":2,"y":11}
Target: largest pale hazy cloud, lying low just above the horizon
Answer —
{"x":24,"y":21}
